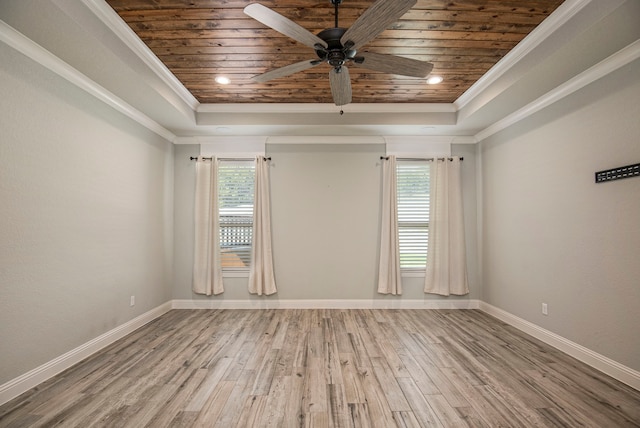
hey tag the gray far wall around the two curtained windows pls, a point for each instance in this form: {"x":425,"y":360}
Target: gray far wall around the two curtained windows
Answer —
{"x":325,"y":217}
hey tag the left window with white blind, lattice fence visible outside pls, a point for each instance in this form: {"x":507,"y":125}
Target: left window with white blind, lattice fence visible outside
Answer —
{"x":235,"y":199}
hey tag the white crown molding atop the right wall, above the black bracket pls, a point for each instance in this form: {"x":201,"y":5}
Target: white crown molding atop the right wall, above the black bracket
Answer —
{"x":619,"y":59}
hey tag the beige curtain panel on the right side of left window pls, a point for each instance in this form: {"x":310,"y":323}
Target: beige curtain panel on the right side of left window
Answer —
{"x":261,"y":275}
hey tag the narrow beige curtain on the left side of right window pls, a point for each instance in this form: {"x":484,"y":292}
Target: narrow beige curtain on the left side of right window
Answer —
{"x":389,"y":278}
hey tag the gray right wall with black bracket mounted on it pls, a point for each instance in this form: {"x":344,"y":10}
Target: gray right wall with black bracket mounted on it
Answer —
{"x":552,"y":235}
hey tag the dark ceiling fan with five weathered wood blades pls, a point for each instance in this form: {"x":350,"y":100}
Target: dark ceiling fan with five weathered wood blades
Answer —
{"x":339,"y":46}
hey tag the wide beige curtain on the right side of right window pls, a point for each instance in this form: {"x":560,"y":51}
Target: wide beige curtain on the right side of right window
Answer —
{"x":446,"y":271}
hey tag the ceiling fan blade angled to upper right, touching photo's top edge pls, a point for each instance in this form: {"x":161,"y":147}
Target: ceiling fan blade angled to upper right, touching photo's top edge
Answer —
{"x":375,"y":20}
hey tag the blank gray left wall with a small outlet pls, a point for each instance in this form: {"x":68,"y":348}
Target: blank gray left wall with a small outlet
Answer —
{"x":86,"y":217}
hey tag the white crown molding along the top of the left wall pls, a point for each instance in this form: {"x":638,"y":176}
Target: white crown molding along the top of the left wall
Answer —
{"x":40,"y":55}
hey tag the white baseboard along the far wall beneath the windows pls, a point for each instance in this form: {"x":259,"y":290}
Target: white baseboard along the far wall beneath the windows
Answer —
{"x":216,"y":303}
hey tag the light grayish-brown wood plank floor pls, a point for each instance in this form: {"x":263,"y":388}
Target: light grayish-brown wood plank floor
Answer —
{"x":327,"y":368}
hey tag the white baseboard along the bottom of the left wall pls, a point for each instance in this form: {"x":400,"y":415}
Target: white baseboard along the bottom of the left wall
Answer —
{"x":32,"y":378}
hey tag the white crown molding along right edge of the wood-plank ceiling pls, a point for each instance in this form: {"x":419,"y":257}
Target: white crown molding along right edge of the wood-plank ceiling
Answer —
{"x":556,"y":20}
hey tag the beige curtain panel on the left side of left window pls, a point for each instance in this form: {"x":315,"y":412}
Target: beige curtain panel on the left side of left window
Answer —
{"x":207,"y":271}
